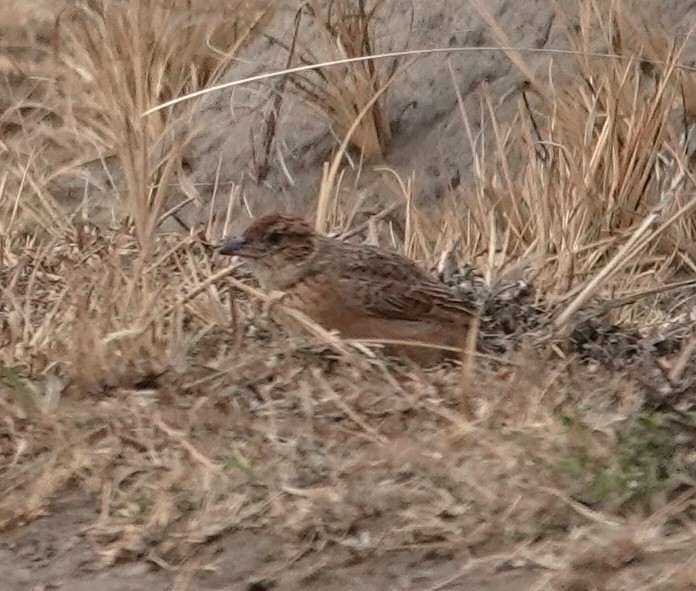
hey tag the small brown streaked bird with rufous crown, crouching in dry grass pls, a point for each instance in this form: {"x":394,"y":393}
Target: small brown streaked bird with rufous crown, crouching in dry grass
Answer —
{"x":364,"y":292}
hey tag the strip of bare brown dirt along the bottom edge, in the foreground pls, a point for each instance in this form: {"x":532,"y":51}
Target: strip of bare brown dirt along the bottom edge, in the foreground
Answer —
{"x":52,"y":553}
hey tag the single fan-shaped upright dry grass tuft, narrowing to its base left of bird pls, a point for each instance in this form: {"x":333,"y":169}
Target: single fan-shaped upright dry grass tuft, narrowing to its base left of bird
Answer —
{"x":128,"y":56}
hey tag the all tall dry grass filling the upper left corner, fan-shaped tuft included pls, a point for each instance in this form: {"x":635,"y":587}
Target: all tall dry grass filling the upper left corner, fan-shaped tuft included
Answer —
{"x":100,"y":65}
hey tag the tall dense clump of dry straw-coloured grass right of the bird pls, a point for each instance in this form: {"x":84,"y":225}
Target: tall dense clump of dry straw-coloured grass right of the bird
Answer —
{"x":591,"y":155}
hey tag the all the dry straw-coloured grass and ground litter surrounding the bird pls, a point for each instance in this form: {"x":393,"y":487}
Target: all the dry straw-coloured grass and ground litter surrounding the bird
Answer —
{"x":160,"y":388}
